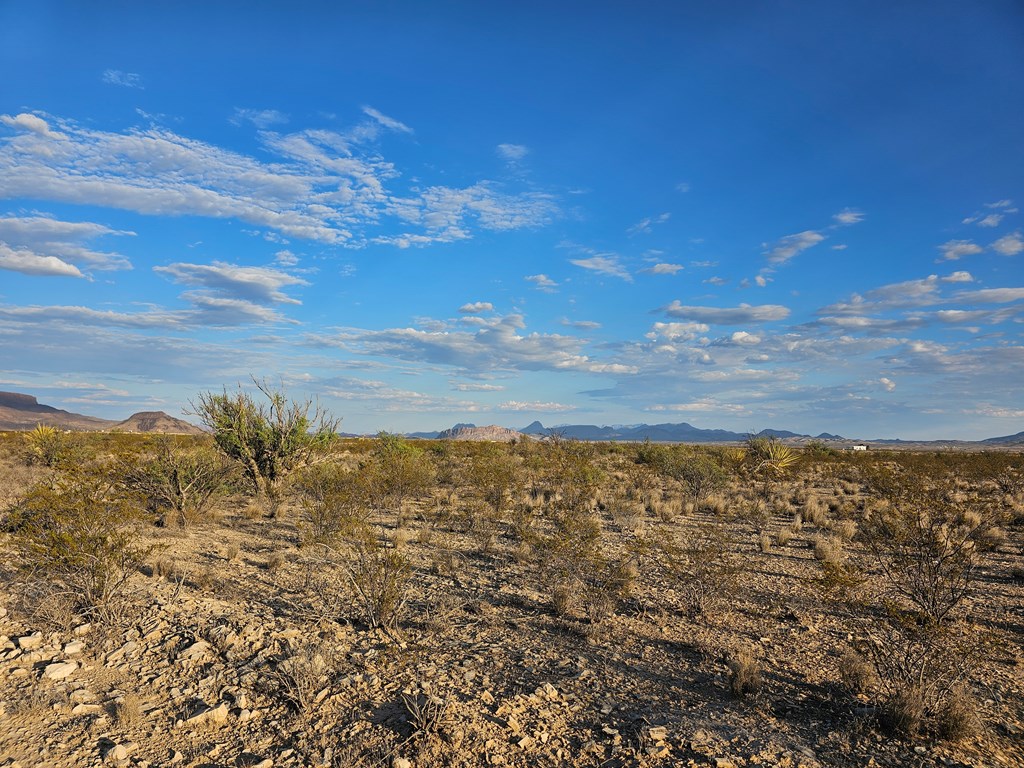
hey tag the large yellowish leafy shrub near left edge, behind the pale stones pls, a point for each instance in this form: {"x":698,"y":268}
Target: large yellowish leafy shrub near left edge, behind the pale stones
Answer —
{"x":79,"y":537}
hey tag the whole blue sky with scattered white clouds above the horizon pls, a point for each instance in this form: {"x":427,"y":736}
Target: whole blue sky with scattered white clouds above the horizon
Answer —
{"x":801,"y":216}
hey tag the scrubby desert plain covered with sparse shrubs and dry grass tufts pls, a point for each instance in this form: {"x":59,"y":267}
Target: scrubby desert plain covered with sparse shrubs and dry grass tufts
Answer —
{"x":522,"y":581}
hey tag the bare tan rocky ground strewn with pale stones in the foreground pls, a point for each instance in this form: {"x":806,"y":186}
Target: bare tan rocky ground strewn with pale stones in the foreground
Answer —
{"x":240,"y":648}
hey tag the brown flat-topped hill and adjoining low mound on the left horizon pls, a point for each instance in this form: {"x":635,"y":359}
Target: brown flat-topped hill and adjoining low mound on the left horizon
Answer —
{"x":23,"y":412}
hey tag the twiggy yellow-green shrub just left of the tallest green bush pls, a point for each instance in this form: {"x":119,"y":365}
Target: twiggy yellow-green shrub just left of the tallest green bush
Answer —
{"x":182,"y":479}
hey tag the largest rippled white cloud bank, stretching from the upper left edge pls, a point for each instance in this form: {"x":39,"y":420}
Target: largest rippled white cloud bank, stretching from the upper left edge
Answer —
{"x":323,"y":187}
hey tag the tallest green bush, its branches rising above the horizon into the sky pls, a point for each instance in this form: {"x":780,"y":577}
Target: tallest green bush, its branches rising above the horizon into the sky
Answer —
{"x":268,"y":439}
